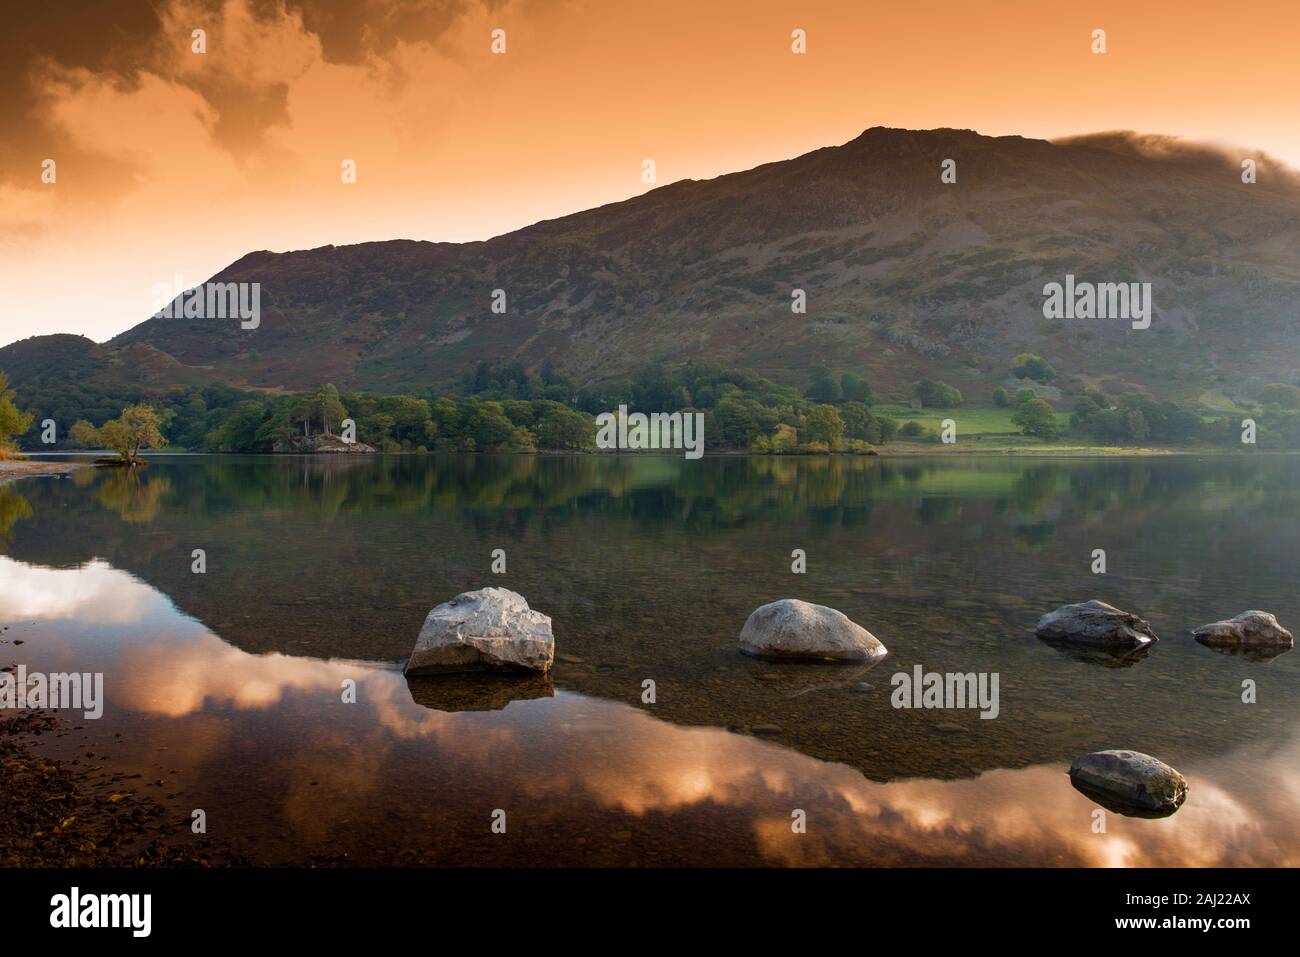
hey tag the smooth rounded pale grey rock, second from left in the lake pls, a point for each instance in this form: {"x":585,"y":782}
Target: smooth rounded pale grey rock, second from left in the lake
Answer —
{"x":799,"y":631}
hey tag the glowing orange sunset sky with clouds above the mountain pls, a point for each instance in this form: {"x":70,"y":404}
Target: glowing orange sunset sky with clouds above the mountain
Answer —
{"x":170,"y":162}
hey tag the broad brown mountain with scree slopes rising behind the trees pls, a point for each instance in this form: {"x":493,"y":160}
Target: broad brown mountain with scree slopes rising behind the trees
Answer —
{"x":905,"y":278}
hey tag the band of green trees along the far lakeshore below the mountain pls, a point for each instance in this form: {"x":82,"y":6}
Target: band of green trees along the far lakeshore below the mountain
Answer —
{"x":502,"y":408}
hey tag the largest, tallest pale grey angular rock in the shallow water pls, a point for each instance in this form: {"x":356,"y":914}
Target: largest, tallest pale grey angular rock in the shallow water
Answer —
{"x":489,"y":630}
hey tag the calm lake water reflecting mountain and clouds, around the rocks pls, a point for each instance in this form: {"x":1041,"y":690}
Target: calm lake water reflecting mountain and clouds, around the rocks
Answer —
{"x":228,"y":687}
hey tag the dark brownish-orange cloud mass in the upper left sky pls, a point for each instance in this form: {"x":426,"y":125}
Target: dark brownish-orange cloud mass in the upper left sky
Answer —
{"x":258,"y":51}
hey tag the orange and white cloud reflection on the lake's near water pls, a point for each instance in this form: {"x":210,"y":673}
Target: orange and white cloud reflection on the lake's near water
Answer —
{"x":571,"y":761}
